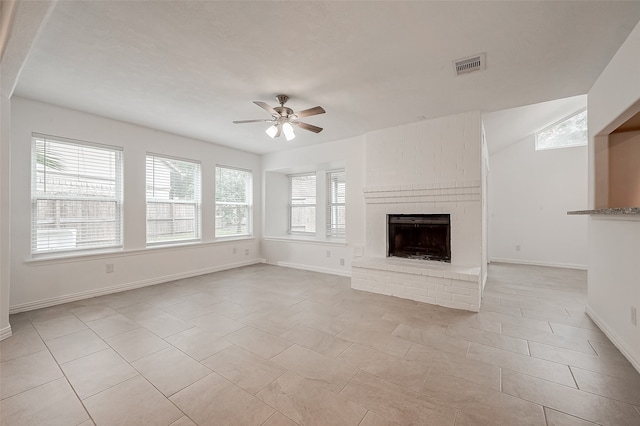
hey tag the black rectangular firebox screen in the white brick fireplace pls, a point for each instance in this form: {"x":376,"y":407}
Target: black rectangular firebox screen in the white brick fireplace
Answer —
{"x":422,"y":236}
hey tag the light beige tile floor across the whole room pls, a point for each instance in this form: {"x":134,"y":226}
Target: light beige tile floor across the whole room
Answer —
{"x":265,"y":345}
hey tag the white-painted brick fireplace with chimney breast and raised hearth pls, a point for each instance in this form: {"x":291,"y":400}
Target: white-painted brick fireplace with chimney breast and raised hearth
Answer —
{"x":427,"y":168}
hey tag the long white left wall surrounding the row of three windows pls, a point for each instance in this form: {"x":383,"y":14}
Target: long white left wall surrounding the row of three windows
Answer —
{"x":41,"y":282}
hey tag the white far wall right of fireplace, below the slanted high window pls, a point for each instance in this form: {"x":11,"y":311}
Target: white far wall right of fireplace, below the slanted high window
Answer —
{"x":530,"y":193}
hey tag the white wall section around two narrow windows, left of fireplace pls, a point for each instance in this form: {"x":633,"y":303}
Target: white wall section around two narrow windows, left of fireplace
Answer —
{"x":314,"y":253}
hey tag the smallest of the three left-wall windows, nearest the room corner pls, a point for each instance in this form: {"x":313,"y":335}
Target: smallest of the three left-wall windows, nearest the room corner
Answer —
{"x":233,"y":202}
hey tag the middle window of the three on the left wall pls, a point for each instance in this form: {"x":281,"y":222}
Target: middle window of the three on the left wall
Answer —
{"x":173,"y":200}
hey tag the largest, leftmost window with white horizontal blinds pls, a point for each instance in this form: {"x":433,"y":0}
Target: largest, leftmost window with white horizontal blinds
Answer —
{"x":76,"y":195}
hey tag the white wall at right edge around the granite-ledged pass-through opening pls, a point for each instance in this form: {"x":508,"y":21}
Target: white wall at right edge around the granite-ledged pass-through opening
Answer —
{"x":614,"y":244}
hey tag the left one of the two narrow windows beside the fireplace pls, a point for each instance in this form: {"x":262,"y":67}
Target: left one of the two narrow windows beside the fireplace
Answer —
{"x":302,"y":203}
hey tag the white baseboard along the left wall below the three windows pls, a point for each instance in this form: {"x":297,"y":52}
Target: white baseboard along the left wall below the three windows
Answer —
{"x":58,"y":300}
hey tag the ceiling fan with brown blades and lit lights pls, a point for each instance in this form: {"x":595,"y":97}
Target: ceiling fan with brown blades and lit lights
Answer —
{"x":283,"y":118}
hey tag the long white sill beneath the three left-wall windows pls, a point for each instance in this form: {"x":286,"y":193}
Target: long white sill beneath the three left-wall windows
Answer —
{"x":95,"y":255}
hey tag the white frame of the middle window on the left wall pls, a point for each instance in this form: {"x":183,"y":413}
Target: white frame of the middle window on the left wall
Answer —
{"x":196,"y":202}
